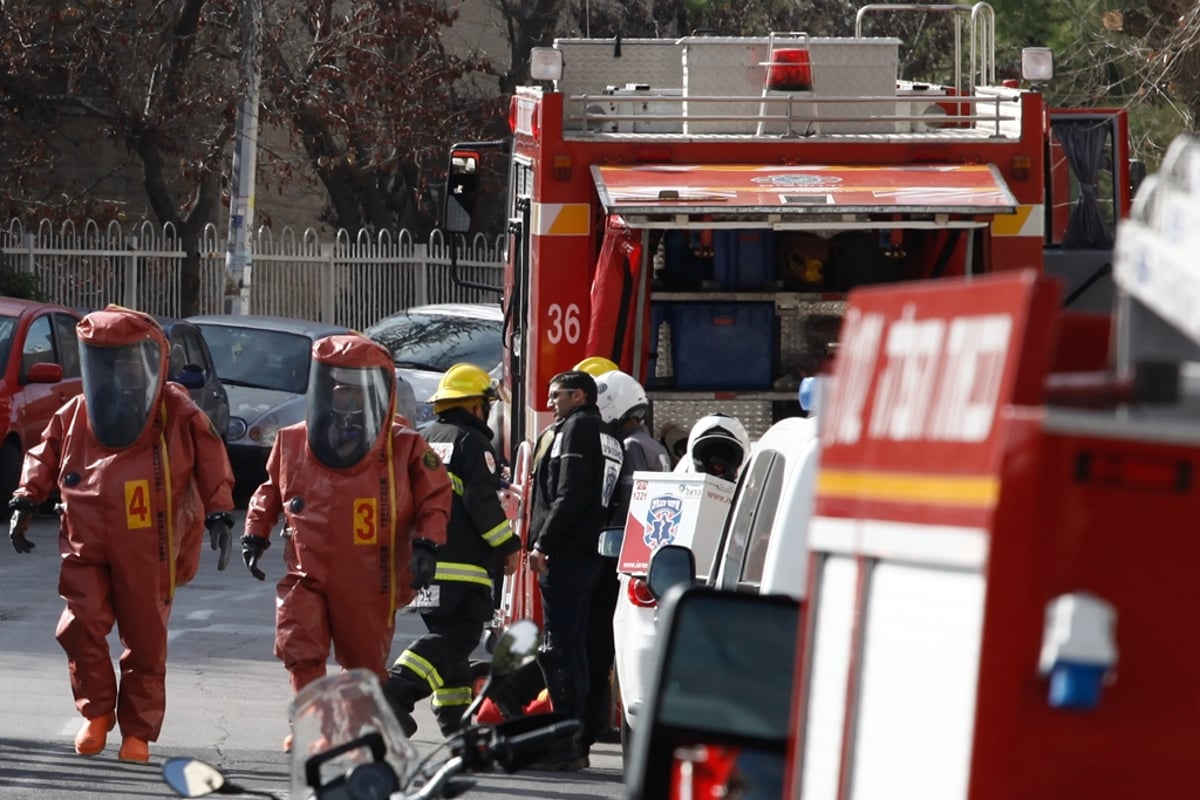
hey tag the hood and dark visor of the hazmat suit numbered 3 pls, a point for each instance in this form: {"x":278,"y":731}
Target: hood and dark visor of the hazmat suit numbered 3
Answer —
{"x":351,"y":401}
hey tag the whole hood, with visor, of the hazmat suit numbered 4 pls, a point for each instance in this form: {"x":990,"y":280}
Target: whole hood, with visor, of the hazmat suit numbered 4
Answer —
{"x":123,"y":358}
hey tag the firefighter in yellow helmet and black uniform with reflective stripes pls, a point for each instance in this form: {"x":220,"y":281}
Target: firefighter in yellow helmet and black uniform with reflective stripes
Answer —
{"x":460,"y":601}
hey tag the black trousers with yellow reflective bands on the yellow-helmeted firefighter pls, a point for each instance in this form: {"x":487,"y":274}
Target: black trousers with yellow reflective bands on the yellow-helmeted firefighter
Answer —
{"x":437,"y":665}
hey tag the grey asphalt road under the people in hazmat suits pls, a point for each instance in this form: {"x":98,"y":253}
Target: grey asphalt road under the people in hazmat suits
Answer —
{"x":227,"y":695}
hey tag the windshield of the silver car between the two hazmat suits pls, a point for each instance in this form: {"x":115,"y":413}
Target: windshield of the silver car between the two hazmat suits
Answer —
{"x":260,"y":359}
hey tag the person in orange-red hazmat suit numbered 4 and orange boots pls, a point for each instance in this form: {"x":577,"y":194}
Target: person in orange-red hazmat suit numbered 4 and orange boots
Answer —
{"x":139,"y":467}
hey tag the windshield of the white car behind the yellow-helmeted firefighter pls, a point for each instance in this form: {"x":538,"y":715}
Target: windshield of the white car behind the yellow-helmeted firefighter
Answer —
{"x":439,"y":342}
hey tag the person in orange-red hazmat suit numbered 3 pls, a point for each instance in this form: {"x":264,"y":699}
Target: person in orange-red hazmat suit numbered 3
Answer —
{"x":365,"y":501}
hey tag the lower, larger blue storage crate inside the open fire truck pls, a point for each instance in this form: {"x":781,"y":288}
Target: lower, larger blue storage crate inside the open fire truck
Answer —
{"x":723,"y":346}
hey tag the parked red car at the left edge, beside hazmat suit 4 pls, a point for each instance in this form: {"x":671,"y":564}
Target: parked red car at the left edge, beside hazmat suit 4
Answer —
{"x":39,"y":374}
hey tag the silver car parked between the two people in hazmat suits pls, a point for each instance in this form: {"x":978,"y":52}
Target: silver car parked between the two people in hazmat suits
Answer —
{"x":263,"y":363}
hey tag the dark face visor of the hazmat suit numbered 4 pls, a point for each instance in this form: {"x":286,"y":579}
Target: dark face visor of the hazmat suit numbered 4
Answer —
{"x":121,"y":386}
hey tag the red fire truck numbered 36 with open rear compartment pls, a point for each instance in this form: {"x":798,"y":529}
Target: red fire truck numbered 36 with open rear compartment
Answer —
{"x":697,"y":209}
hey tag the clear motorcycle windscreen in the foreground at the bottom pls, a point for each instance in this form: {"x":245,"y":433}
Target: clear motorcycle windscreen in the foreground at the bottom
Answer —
{"x":340,"y":723}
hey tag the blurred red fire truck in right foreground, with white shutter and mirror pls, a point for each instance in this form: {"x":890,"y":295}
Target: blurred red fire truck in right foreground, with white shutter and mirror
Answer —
{"x":1001,"y":567}
